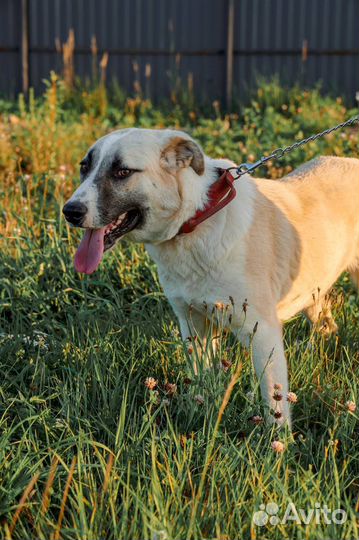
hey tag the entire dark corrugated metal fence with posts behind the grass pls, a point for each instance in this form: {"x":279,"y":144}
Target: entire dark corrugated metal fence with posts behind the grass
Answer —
{"x":218,"y":47}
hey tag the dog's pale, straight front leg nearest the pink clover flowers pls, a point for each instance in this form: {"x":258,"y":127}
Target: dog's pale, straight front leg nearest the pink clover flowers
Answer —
{"x":271,"y":368}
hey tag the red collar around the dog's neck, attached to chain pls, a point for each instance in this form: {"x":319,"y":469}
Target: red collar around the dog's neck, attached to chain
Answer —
{"x":219,"y":195}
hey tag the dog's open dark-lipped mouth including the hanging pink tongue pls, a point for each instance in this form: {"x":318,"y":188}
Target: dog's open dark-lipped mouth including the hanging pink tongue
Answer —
{"x":96,"y":241}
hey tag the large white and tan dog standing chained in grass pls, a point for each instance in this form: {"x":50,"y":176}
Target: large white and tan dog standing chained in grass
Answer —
{"x":276,"y":248}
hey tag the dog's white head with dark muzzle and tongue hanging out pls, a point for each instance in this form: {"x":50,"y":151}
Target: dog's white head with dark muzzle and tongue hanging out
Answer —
{"x":135,"y":182}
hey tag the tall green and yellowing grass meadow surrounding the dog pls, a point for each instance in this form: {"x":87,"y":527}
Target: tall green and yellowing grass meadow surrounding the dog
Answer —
{"x":87,"y":451}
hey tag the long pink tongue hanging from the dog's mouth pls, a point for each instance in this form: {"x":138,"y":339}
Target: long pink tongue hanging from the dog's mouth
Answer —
{"x":89,"y":253}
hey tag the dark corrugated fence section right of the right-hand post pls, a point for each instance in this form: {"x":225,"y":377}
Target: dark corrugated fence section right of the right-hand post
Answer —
{"x":267,"y":27}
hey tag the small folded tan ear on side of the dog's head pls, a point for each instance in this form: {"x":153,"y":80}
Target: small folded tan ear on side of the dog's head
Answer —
{"x":180,"y":152}
